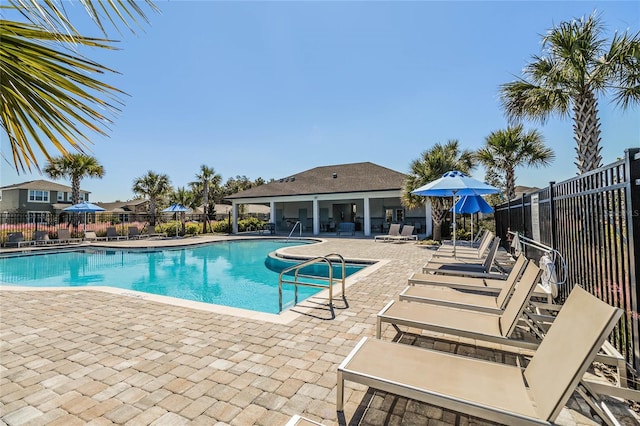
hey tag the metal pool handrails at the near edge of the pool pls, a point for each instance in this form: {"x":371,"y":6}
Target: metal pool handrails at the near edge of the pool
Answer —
{"x":295,"y":281}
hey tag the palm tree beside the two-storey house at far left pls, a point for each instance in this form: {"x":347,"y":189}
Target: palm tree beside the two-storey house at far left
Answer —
{"x":75,"y":167}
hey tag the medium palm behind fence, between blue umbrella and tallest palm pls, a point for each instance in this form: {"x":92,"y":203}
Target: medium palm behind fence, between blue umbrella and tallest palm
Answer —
{"x":504,"y":150}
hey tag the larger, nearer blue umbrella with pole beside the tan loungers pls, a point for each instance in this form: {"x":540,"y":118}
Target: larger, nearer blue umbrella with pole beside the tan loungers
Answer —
{"x":455,"y":184}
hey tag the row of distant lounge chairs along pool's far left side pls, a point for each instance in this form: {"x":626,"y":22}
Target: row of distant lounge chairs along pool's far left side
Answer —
{"x":16,"y":239}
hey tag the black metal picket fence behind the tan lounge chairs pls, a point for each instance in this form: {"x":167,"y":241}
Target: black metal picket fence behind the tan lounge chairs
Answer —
{"x":593,"y":221}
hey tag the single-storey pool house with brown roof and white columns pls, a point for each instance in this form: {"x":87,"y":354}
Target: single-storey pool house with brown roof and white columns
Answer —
{"x":365,"y":194}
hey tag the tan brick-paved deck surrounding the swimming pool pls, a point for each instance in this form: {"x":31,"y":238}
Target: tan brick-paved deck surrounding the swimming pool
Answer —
{"x":85,"y":356}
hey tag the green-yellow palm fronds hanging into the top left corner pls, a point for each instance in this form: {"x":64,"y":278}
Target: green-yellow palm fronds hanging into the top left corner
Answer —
{"x":47,"y":90}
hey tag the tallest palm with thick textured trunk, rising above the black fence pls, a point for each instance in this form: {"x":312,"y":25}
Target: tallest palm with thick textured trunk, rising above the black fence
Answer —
{"x":577,"y":66}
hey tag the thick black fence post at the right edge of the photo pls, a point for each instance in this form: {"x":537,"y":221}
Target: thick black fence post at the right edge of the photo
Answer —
{"x":632,"y":165}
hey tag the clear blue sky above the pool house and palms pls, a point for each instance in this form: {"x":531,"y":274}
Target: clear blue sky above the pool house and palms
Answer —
{"x":270,"y":89}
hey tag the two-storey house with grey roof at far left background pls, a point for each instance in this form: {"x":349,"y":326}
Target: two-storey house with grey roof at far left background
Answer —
{"x":37,"y":198}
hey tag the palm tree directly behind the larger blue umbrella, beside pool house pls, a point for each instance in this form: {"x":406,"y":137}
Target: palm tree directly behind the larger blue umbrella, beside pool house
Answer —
{"x":431,"y":165}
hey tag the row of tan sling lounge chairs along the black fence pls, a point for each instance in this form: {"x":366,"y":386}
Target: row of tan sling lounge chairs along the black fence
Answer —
{"x":451,"y":301}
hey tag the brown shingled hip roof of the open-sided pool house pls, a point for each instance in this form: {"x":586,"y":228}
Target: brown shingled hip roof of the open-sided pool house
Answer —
{"x":341,"y":178}
